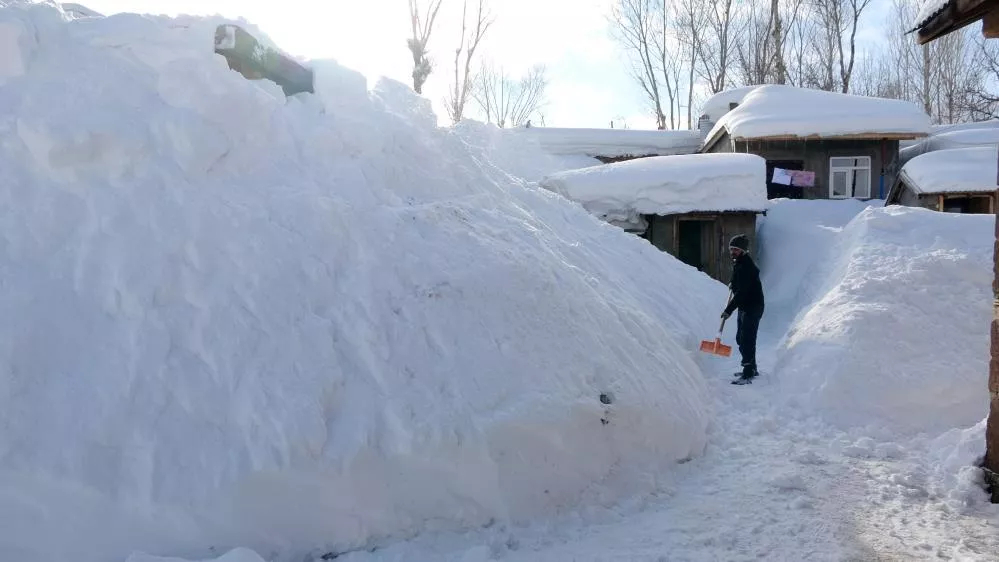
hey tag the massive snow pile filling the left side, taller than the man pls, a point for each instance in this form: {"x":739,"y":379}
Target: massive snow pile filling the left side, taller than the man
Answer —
{"x":234,"y":318}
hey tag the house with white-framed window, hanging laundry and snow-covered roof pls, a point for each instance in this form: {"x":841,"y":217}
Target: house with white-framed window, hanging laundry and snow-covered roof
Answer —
{"x":817,"y":144}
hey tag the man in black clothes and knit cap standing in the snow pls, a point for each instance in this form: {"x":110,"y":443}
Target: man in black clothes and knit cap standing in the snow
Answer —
{"x":747,"y":297}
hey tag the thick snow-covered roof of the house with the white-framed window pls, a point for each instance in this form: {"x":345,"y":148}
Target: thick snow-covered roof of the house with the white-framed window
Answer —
{"x":777,"y":111}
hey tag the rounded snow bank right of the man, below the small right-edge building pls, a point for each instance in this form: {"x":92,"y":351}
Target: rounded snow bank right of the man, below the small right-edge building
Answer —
{"x":898,"y":335}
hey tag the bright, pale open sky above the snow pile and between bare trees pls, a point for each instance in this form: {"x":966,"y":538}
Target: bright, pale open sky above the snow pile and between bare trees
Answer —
{"x":589,"y":78}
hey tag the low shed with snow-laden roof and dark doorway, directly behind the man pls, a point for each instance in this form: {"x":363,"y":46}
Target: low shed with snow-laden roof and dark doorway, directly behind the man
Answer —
{"x":686,"y":205}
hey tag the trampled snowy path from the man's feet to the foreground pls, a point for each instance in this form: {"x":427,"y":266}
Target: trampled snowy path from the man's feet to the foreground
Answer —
{"x":772,"y":485}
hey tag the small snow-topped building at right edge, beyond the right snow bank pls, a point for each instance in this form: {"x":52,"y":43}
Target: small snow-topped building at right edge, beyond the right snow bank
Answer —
{"x":958,"y":180}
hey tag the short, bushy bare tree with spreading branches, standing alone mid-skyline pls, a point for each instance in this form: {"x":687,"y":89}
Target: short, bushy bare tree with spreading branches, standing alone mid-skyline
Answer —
{"x":507,"y":101}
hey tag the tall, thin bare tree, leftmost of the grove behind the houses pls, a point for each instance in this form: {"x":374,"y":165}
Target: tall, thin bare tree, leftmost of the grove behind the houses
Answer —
{"x":635,"y":25}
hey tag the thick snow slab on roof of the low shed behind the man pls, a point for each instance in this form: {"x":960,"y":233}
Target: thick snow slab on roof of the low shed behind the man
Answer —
{"x":666,"y":185}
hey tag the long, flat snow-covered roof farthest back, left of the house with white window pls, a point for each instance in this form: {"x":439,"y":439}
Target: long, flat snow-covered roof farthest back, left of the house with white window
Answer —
{"x":614,"y":143}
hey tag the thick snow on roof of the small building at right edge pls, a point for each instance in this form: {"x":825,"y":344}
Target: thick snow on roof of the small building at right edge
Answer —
{"x":957,"y":170}
